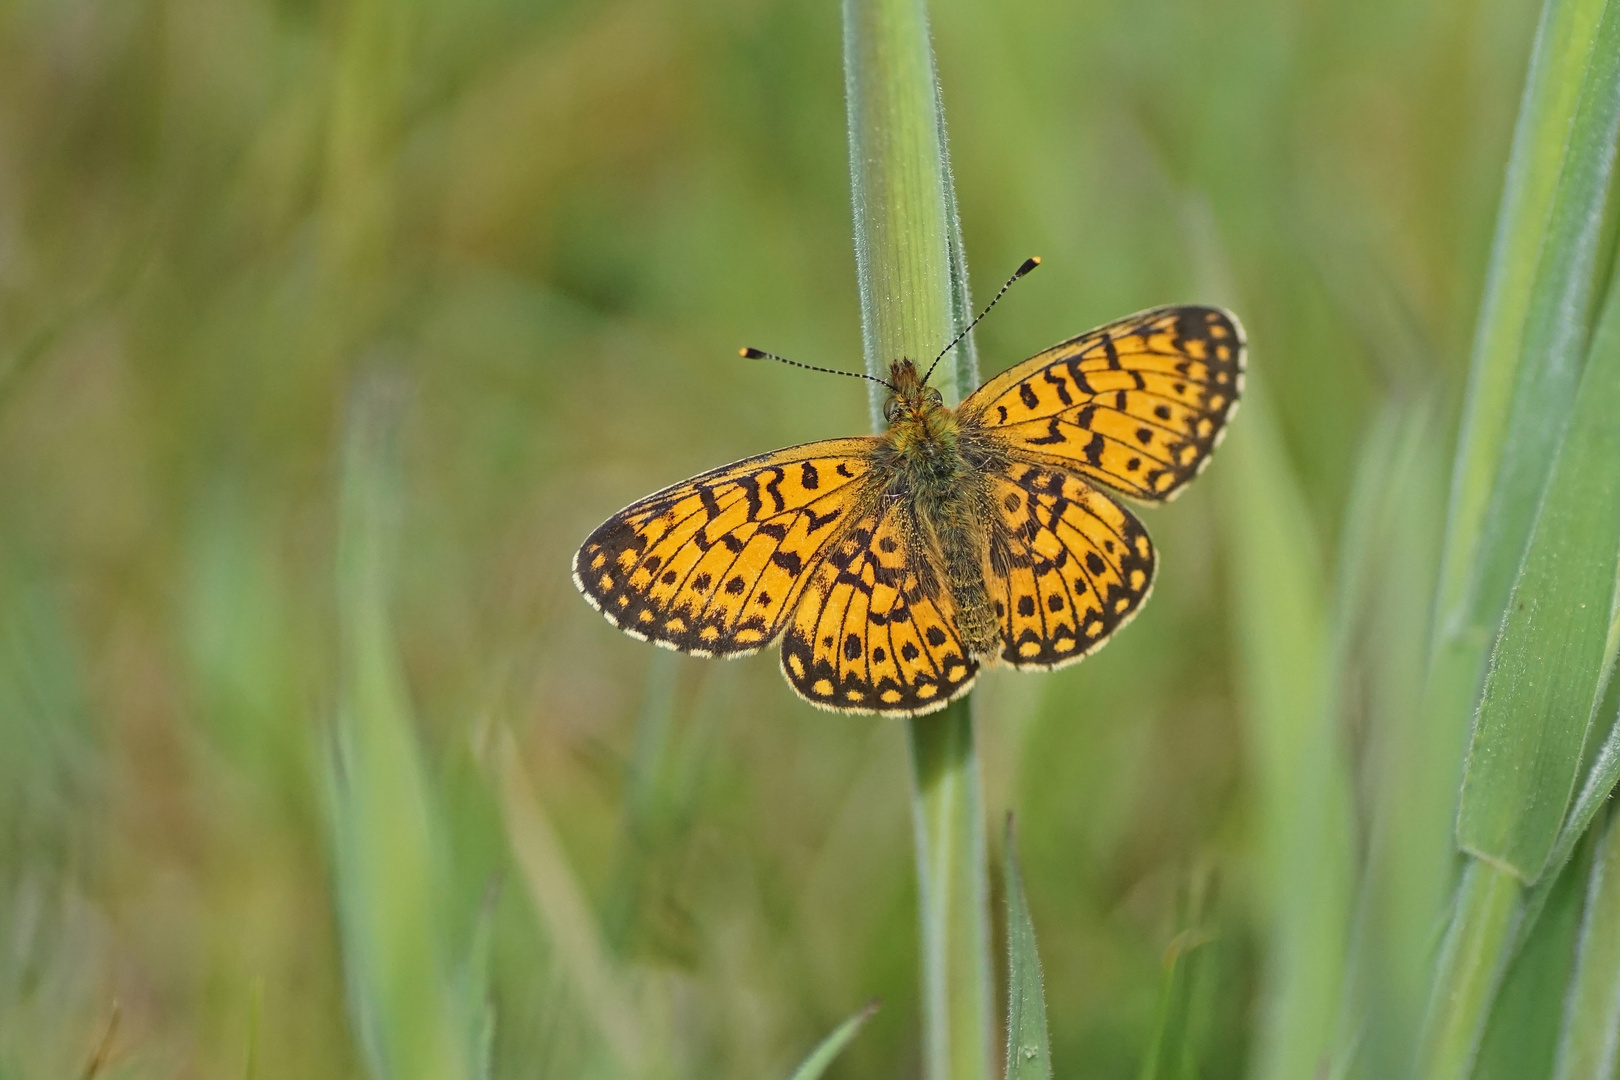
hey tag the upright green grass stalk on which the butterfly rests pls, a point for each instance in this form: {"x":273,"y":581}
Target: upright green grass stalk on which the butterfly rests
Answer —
{"x":913,"y":300}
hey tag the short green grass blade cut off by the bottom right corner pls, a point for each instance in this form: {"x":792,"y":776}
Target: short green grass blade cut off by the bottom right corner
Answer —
{"x":1590,"y":1044}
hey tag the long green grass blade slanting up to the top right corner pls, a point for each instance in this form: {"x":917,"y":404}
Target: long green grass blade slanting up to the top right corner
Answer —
{"x":1533,"y":281}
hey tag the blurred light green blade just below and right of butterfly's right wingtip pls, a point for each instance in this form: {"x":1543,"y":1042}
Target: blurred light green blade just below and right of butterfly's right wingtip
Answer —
{"x":1279,"y":603}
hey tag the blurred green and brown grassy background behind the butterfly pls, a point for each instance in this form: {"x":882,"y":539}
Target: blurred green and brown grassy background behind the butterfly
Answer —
{"x":330,"y":330}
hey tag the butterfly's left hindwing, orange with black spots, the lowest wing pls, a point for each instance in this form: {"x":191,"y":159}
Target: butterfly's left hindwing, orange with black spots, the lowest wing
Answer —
{"x":876,"y":632}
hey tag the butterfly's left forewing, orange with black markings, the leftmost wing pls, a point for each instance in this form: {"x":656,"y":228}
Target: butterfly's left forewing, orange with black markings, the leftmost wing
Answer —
{"x":715,"y":564}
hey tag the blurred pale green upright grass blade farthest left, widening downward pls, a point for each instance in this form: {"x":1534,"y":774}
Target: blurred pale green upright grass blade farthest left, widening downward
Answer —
{"x":388,"y":856}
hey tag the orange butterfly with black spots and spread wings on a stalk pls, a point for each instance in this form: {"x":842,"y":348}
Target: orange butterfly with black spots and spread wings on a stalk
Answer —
{"x":895,"y":566}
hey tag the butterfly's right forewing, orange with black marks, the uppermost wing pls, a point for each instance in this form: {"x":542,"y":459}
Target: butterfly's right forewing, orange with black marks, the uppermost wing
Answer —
{"x":1138,"y":404}
